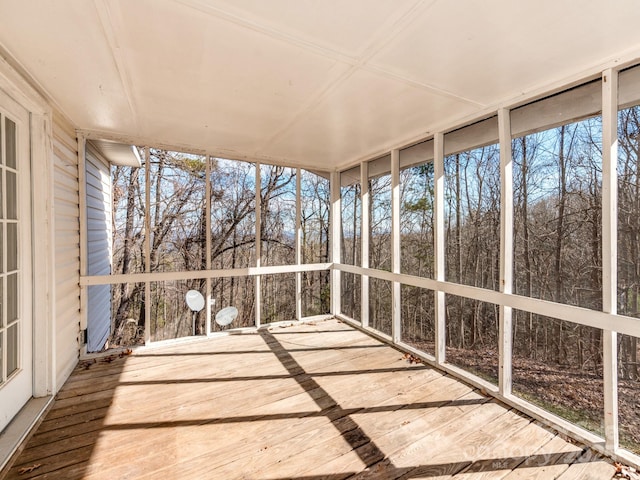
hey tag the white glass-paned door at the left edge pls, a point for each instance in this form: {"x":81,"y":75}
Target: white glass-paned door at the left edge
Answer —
{"x":16,"y":372}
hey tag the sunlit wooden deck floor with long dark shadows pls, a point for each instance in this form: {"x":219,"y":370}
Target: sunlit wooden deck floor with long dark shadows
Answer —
{"x":318,"y":401}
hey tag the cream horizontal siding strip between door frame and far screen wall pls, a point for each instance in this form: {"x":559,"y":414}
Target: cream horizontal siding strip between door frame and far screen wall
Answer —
{"x":67,"y":249}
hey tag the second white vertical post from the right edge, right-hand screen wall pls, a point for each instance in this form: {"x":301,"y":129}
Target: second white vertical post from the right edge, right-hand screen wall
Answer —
{"x":505,"y":335}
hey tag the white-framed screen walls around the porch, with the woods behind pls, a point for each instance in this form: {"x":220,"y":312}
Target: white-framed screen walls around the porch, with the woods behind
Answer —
{"x":482,"y":251}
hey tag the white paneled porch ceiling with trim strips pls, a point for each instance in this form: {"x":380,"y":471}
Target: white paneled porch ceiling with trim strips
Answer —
{"x":317,"y":83}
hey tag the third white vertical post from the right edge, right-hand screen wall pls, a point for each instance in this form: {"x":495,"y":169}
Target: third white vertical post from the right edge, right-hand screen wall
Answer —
{"x":440,"y":320}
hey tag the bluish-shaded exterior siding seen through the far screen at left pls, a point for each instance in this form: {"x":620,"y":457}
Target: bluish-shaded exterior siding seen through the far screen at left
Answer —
{"x":98,"y":205}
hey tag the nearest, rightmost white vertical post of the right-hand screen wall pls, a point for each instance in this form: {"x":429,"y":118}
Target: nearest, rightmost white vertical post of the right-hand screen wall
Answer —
{"x":610,"y":251}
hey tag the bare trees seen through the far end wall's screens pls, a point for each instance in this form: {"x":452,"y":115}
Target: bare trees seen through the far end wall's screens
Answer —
{"x":177,"y":241}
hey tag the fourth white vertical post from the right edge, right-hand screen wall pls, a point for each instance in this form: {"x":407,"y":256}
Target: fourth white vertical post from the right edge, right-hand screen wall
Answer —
{"x":396,"y":325}
